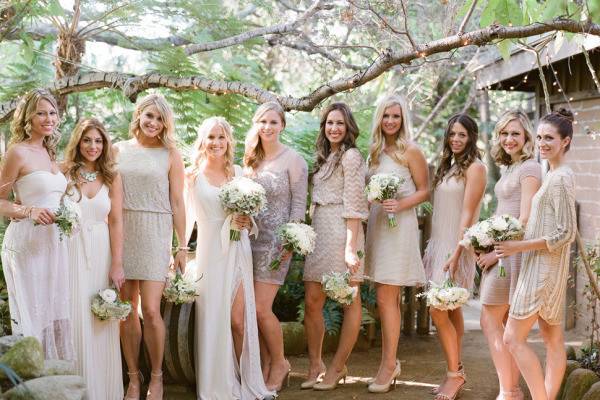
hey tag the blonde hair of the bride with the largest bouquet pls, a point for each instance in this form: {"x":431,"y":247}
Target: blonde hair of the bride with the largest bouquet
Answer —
{"x":199,"y":154}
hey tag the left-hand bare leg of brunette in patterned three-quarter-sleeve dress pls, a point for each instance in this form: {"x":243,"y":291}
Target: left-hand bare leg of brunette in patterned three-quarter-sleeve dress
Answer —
{"x":314,"y":326}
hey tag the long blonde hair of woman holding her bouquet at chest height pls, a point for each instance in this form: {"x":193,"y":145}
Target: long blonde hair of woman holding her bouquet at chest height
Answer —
{"x":402,"y":136}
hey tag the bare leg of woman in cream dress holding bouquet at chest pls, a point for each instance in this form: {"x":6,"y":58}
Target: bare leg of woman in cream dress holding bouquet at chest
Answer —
{"x":388,"y":302}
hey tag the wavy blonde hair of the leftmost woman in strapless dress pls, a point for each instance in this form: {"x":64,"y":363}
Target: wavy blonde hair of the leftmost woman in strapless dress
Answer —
{"x":20,"y":126}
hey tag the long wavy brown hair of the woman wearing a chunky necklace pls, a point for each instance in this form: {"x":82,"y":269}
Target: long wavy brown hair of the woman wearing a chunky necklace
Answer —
{"x":74,"y":161}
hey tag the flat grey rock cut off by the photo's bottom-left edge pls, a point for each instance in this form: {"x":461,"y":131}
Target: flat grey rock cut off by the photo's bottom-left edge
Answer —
{"x":64,"y":387}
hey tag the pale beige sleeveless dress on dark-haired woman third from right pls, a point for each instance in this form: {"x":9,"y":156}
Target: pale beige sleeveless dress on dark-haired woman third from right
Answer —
{"x":448,"y":199}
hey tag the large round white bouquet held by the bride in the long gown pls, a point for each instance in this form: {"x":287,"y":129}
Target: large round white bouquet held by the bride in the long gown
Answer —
{"x":242,"y":196}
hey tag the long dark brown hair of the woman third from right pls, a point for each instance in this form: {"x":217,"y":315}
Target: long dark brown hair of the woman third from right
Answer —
{"x":462,"y":160}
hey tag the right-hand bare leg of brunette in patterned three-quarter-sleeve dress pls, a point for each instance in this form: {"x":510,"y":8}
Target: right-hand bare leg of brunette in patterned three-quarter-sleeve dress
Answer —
{"x":348,"y":336}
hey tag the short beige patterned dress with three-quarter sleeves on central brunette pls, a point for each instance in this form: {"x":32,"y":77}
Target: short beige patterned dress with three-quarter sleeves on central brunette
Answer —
{"x":338,"y":194}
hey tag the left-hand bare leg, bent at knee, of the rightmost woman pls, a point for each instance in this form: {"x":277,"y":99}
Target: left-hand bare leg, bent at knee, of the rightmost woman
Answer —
{"x":515,"y":337}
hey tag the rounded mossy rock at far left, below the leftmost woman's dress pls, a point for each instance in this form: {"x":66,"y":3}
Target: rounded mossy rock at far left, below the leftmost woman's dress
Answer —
{"x":26,"y":358}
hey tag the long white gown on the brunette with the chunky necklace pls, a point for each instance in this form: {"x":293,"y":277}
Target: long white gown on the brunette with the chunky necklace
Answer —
{"x":96,"y":342}
